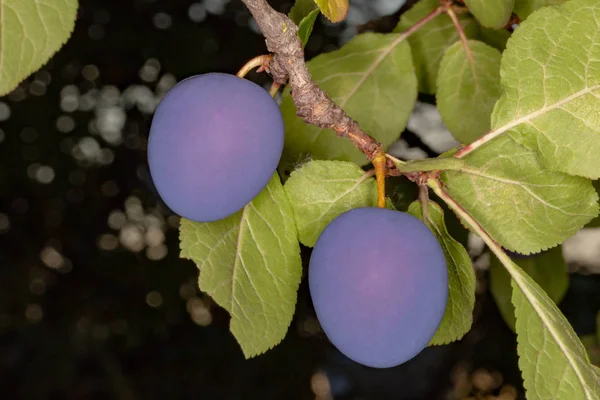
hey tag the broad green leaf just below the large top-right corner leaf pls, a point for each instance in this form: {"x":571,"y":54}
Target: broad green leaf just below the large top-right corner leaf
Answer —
{"x":523,"y":206}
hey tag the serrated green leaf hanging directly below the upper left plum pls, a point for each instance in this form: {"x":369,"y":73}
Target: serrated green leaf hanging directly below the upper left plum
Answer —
{"x":250,"y":265}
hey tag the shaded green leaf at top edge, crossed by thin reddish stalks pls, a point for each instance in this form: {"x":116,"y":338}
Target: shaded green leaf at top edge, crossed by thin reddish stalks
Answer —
{"x":430,"y":42}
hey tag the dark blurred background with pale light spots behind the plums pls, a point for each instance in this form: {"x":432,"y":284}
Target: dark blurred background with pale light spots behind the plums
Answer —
{"x":94,"y":301}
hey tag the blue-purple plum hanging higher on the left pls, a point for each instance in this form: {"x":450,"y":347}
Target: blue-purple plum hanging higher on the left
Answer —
{"x":214,"y":144}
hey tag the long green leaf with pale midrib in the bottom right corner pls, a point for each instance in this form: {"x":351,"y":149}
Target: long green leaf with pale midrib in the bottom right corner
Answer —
{"x":552,"y":359}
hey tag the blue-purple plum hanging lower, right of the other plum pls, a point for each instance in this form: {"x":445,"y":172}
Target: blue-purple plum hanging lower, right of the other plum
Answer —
{"x":379,"y":284}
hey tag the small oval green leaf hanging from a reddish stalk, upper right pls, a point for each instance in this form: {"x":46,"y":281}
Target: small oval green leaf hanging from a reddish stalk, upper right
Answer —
{"x":468,"y":87}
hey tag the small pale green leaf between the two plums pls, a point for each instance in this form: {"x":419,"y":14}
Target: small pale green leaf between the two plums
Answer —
{"x":319,"y":191}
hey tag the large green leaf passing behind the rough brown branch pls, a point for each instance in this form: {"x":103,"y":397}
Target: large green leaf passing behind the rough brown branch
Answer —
{"x":372,"y":78}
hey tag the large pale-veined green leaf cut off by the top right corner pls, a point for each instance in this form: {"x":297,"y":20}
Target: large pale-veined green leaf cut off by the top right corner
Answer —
{"x":551,"y":79}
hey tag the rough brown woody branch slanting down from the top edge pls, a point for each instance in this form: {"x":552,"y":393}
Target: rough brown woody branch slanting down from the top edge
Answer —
{"x":313,"y":105}
